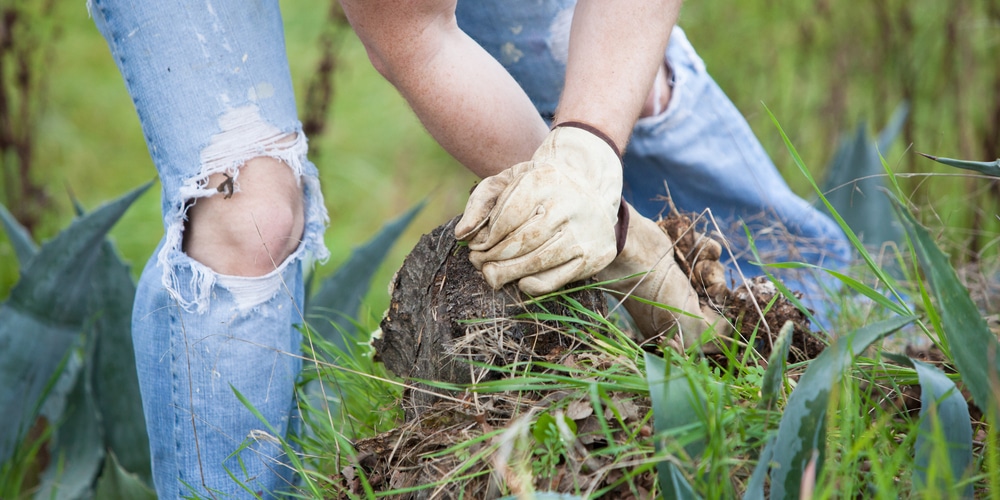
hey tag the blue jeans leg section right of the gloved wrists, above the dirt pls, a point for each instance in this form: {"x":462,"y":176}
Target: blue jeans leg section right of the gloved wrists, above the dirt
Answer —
{"x":703,"y":150}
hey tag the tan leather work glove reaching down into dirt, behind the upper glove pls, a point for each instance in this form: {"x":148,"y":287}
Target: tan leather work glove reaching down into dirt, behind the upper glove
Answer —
{"x":650,"y":251}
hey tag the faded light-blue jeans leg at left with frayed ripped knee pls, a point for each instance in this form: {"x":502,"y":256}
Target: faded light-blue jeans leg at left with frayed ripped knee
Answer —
{"x":212,"y":89}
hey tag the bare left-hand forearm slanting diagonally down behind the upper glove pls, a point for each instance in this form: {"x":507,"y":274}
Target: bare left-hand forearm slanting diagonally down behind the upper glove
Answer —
{"x":464,"y":97}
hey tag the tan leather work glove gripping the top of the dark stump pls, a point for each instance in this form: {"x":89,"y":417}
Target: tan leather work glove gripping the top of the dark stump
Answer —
{"x":551,"y":220}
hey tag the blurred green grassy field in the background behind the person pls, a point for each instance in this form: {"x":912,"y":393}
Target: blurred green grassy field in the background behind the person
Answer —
{"x":820,"y":66}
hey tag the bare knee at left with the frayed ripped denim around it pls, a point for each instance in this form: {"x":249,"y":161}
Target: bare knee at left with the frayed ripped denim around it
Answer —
{"x":242,"y":228}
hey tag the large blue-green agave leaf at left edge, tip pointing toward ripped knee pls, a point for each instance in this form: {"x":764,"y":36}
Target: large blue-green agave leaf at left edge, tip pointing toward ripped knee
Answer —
{"x":45,"y":313}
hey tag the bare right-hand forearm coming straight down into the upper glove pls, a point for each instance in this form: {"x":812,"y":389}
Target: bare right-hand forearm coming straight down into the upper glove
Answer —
{"x":615,"y":51}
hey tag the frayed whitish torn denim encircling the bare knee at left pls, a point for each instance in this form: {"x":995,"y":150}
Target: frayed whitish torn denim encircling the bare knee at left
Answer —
{"x":244,"y":135}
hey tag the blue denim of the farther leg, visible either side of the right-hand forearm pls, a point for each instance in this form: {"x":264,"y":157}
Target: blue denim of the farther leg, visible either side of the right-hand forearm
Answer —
{"x":700,"y":147}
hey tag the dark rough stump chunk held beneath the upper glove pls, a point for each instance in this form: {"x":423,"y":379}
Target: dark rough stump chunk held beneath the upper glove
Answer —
{"x":443,"y":317}
